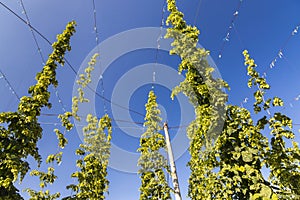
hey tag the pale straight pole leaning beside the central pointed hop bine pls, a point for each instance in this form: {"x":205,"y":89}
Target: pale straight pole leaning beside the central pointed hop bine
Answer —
{"x":172,"y":164}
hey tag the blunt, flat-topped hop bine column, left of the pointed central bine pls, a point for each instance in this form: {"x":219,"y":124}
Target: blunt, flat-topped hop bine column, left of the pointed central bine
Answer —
{"x":92,"y":182}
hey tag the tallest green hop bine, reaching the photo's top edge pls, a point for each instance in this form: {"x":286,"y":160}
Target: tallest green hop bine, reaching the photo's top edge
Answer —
{"x":206,"y":95}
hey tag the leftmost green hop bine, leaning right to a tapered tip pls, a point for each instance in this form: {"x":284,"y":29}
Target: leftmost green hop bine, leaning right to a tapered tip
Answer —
{"x":19,"y":139}
